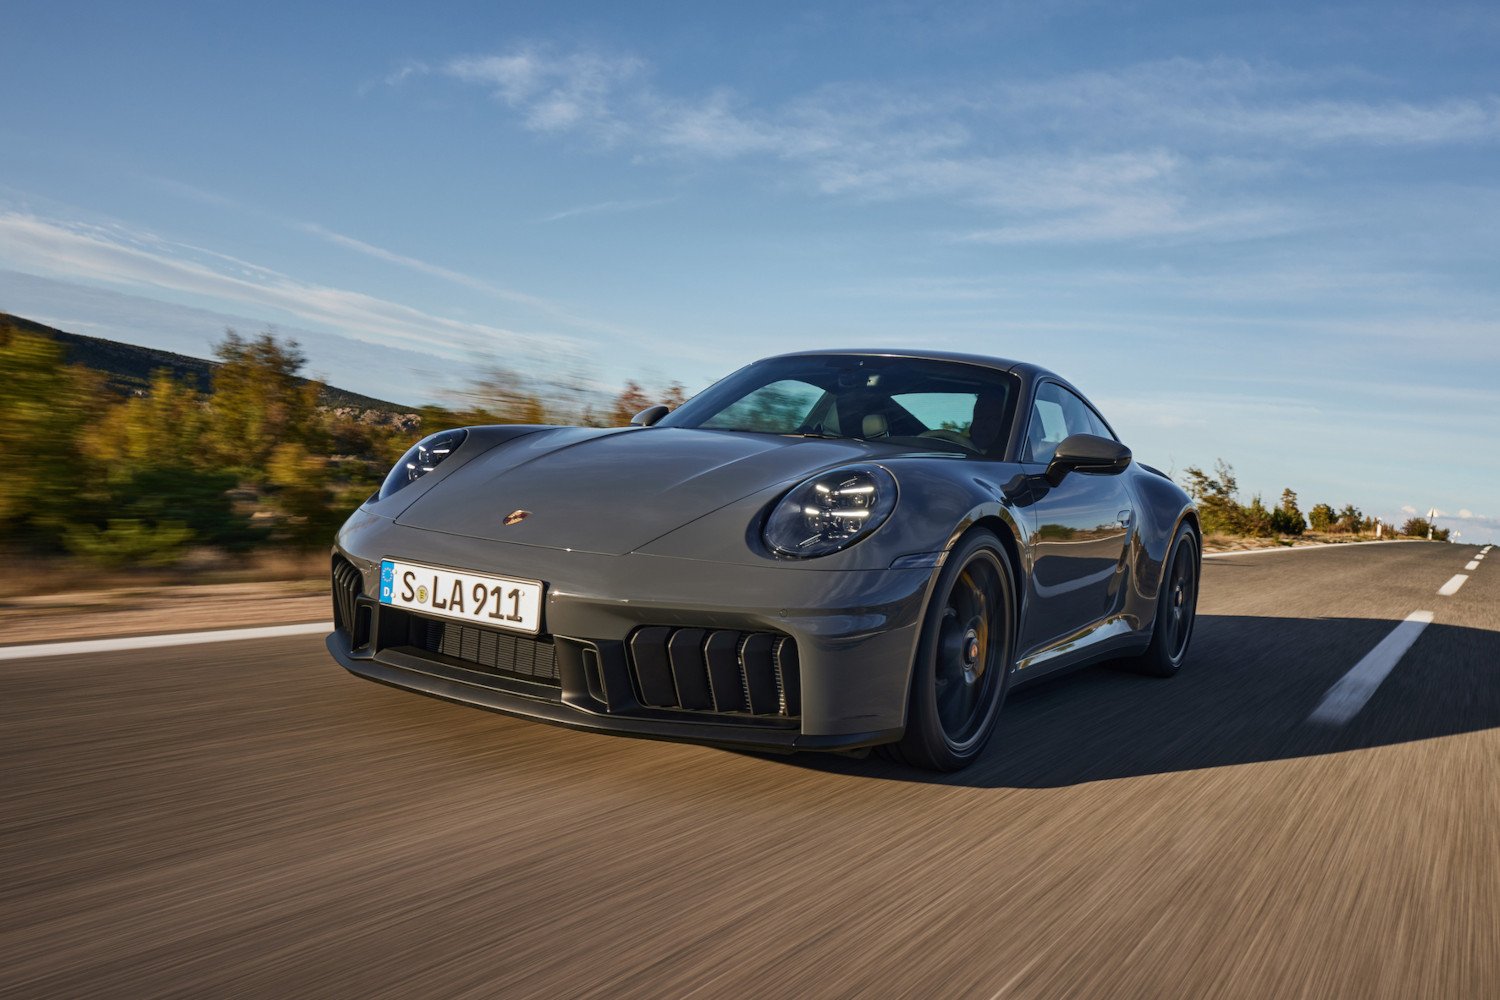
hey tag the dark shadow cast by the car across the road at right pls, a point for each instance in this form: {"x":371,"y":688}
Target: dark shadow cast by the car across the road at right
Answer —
{"x":1243,"y":698}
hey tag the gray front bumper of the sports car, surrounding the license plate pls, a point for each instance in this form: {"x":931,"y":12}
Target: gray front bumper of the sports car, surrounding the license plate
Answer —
{"x":856,"y":636}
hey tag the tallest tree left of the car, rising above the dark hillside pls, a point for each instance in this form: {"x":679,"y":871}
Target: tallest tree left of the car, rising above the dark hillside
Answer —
{"x":260,"y":401}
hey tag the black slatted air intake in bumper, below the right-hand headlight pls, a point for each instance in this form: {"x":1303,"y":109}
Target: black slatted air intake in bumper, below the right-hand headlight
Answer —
{"x":716,"y":671}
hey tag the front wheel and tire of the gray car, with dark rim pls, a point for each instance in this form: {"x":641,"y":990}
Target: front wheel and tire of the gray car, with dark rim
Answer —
{"x":964,"y":659}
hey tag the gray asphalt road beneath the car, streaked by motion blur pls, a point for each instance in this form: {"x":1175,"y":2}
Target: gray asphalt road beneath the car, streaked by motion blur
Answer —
{"x":245,"y":819}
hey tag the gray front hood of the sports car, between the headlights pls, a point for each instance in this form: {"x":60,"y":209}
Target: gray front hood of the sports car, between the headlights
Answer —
{"x":616,"y":491}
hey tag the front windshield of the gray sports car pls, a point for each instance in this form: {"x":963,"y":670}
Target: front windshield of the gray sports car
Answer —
{"x":913,"y":403}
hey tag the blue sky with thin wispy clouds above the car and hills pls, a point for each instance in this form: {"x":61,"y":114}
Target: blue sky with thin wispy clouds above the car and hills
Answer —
{"x":1258,"y":233}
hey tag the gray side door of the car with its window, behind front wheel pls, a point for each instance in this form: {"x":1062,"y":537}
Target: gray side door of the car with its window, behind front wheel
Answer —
{"x":1081,"y":530}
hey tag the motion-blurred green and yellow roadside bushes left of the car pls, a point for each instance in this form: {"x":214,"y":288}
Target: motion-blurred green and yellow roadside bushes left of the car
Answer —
{"x":253,"y":466}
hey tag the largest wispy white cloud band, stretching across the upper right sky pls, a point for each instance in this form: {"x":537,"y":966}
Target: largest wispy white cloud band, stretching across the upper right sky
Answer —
{"x":1072,"y":160}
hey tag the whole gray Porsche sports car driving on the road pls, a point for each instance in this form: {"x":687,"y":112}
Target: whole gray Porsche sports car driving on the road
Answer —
{"x":824,"y":551}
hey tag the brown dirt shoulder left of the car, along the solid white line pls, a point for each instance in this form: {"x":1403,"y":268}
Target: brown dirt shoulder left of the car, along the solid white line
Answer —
{"x":149,"y":611}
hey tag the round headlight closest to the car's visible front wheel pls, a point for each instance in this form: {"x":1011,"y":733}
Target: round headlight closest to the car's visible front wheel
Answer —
{"x":832,"y":512}
